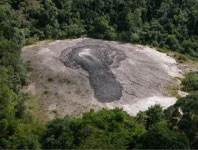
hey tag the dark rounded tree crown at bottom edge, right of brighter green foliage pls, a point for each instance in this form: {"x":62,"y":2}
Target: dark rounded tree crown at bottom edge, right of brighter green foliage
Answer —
{"x":161,"y":137}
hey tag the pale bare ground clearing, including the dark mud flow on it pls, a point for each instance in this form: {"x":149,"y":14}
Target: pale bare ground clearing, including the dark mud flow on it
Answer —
{"x":69,"y":77}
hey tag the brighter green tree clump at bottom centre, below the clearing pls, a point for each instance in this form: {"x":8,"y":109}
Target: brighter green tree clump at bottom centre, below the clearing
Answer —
{"x":106,"y":129}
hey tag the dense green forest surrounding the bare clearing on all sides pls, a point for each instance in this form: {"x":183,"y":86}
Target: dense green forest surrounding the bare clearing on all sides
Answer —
{"x":167,"y":24}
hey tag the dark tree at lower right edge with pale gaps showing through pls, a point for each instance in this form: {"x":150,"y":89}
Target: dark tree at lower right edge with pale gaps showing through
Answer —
{"x":184,"y":116}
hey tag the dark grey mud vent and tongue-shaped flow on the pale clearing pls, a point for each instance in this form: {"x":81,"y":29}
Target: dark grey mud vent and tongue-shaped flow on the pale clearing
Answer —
{"x":97,"y":61}
